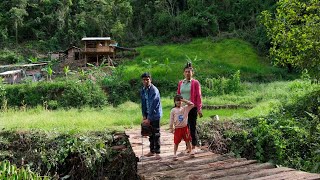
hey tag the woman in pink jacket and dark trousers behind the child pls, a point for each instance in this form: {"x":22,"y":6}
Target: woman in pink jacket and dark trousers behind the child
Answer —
{"x":190,"y":89}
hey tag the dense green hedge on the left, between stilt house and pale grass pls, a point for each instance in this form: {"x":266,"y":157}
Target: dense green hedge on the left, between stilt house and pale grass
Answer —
{"x":53,"y":94}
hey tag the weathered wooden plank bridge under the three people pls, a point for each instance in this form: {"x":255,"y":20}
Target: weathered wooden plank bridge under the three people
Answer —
{"x":205,"y":164}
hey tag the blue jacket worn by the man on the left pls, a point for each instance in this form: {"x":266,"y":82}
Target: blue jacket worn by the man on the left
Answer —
{"x":155,"y":109}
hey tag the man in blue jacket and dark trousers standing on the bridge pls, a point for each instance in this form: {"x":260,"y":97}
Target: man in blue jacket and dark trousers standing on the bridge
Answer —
{"x":151,"y":112}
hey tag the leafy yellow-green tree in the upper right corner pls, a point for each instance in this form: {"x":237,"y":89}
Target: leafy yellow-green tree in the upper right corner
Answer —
{"x":294,"y":32}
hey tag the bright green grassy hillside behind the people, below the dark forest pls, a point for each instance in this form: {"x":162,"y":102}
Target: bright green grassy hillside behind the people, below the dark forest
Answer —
{"x":210,"y":59}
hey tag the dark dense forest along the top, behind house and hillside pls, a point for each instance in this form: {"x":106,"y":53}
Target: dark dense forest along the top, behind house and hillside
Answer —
{"x":51,"y":25}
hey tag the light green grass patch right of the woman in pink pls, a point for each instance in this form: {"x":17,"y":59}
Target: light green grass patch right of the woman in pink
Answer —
{"x":262,"y":97}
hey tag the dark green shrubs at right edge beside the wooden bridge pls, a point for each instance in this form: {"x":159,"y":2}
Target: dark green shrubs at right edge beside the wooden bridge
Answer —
{"x":289,"y":136}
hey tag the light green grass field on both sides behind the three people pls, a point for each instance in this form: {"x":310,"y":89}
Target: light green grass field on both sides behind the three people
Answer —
{"x":263,"y":98}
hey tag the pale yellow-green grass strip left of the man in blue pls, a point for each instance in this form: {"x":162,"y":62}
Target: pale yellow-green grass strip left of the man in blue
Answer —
{"x":86,"y":119}
